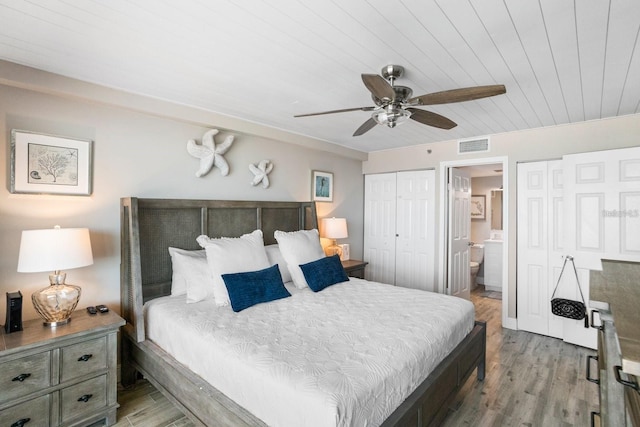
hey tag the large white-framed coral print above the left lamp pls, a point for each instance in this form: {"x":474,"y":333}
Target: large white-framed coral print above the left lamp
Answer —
{"x":50,"y":164}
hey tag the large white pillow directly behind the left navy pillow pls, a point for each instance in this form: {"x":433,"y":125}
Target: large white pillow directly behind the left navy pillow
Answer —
{"x":233,"y":255}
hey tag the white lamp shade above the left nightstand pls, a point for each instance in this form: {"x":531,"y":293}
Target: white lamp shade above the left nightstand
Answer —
{"x":54,"y":249}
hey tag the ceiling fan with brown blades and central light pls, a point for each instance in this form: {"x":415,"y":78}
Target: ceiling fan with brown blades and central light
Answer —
{"x":394,"y":104}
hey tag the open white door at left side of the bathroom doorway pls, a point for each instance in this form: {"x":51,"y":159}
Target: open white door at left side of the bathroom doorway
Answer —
{"x":459,"y":233}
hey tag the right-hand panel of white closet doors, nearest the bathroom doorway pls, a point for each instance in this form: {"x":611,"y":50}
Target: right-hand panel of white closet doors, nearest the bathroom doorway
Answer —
{"x":415,"y":230}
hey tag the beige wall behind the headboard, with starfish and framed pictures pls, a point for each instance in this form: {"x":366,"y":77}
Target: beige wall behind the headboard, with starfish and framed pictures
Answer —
{"x":144,"y":154}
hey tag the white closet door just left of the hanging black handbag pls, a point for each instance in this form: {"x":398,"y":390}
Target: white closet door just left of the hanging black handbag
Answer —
{"x":539,"y":249}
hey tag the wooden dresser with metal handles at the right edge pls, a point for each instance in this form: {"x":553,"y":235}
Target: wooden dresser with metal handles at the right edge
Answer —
{"x":615,"y":292}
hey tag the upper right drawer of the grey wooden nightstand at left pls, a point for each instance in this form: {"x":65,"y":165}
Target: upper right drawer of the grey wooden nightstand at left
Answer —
{"x":84,"y":358}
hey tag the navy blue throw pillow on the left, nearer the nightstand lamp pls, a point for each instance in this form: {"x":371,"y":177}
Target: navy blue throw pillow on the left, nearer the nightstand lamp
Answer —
{"x":253,"y":287}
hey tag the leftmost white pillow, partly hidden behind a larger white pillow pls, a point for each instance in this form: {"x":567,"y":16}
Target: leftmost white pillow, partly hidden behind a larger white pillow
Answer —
{"x":188,"y":267}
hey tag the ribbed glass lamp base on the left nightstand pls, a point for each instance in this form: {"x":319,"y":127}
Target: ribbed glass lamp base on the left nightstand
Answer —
{"x":55,"y":303}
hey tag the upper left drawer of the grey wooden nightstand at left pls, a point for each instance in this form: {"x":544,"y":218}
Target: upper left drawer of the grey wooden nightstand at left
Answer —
{"x":22,"y":376}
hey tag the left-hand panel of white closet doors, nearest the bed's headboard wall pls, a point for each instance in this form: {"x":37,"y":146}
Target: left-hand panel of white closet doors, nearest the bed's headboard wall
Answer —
{"x":380,"y":227}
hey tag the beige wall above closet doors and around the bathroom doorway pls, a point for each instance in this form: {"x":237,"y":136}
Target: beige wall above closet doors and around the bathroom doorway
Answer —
{"x":534,"y":144}
